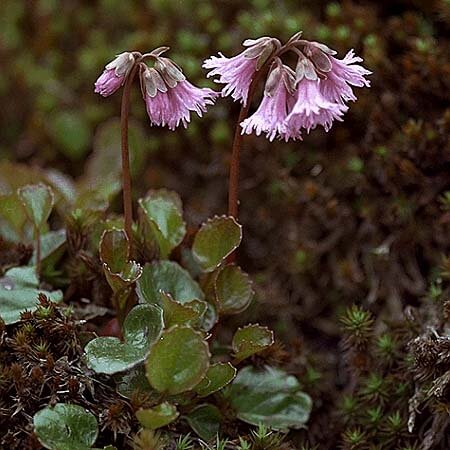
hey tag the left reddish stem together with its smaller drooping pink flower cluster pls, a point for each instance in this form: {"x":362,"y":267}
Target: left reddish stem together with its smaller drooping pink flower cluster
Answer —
{"x":169,"y":98}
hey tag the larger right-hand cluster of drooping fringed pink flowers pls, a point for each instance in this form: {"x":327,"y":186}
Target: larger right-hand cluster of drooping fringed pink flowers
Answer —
{"x":314,"y":94}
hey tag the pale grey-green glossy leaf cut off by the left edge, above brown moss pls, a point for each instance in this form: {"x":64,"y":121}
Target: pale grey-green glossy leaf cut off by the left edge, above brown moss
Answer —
{"x":19,"y":292}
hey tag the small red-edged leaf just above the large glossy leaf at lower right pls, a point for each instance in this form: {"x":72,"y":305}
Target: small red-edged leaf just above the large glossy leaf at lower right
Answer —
{"x":251,"y":339}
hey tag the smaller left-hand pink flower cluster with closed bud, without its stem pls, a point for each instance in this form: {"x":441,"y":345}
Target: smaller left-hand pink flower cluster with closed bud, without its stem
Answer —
{"x":168,"y":96}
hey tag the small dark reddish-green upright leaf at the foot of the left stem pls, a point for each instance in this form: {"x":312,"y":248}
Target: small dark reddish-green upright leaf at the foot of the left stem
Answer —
{"x":114,"y":249}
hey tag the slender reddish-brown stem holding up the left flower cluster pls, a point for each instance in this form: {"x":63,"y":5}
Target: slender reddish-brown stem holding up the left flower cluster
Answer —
{"x":126,"y":176}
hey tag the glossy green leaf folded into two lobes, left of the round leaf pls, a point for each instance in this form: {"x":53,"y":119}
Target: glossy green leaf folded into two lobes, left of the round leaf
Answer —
{"x":142,"y":327}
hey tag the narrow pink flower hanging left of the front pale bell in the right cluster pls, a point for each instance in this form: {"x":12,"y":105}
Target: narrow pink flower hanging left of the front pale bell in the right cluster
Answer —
{"x":277,"y":101}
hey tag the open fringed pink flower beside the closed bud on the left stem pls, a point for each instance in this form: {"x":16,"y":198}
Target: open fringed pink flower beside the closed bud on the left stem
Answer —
{"x":169,"y":97}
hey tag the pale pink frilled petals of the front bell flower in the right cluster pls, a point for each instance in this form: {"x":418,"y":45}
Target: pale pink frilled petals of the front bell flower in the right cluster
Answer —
{"x":311,"y":108}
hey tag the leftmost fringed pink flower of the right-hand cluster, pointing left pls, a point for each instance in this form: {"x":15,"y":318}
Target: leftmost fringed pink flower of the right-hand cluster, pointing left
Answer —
{"x":237,"y":72}
